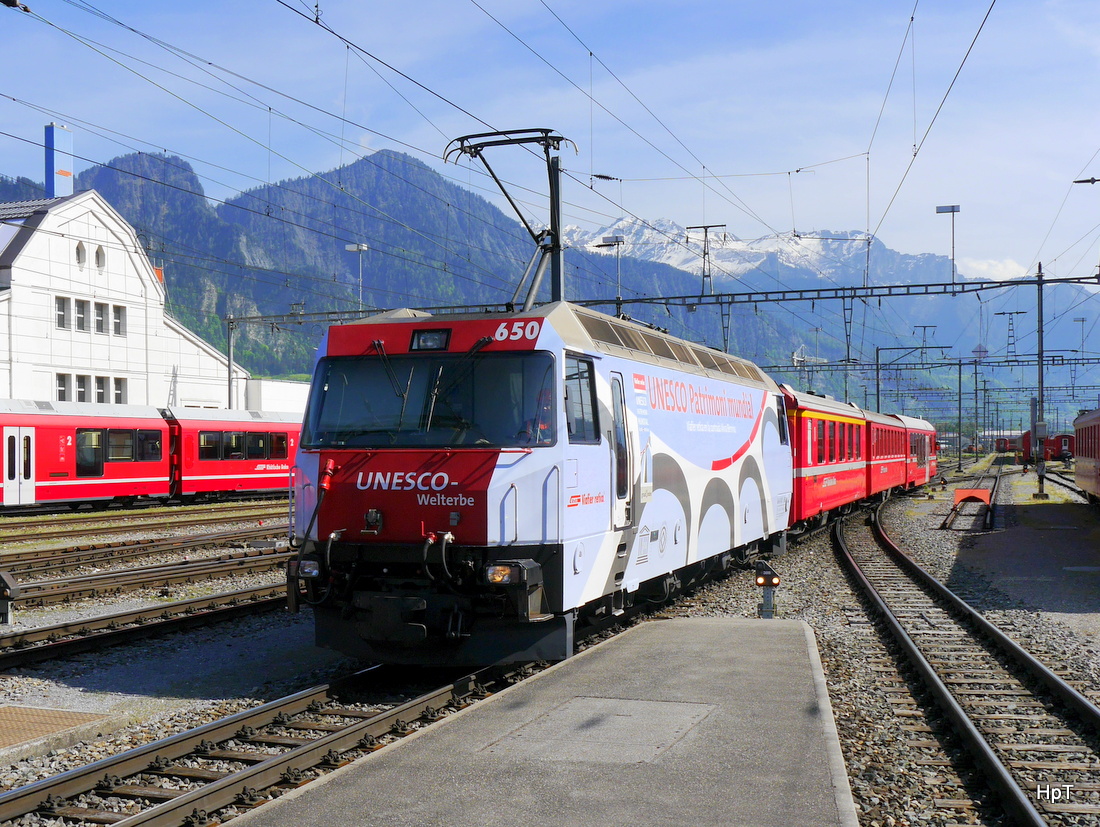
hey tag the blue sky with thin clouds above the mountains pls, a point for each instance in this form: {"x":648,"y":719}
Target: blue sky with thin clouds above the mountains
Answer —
{"x":783,"y":107}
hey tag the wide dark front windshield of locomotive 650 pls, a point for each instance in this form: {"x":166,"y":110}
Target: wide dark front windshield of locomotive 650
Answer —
{"x":492,"y":400}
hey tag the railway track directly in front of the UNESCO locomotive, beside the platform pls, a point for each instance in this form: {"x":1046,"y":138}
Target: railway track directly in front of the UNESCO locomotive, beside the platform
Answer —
{"x":243,"y":762}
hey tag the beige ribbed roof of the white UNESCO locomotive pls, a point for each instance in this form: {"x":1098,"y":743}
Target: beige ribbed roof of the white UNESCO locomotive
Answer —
{"x":586,"y":329}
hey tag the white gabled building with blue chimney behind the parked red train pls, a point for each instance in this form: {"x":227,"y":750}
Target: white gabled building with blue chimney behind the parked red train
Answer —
{"x":83,"y":319}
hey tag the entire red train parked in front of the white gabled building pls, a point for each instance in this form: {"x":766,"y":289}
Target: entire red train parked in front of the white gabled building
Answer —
{"x":78,"y":453}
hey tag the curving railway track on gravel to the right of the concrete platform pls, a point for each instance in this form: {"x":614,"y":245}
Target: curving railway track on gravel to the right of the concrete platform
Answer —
{"x":1036,"y":740}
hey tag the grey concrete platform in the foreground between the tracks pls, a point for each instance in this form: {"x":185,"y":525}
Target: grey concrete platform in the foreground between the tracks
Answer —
{"x":719,"y":722}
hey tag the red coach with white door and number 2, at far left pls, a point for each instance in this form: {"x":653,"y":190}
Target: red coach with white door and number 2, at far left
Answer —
{"x":67,"y":453}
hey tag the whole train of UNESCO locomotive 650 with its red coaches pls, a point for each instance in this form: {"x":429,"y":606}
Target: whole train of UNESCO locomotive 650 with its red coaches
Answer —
{"x":470,"y":489}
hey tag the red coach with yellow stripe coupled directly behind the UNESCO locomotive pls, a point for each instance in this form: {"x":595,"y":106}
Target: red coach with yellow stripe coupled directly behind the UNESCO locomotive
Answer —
{"x":829,"y":443}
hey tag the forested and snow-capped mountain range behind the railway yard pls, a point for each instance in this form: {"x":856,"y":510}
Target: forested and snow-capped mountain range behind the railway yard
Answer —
{"x":432,"y":242}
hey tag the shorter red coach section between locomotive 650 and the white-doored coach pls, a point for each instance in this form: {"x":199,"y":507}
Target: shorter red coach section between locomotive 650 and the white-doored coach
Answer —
{"x":229,"y":451}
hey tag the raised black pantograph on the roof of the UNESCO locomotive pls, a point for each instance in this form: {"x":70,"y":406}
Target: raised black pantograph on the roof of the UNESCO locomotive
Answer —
{"x":548,"y":242}
